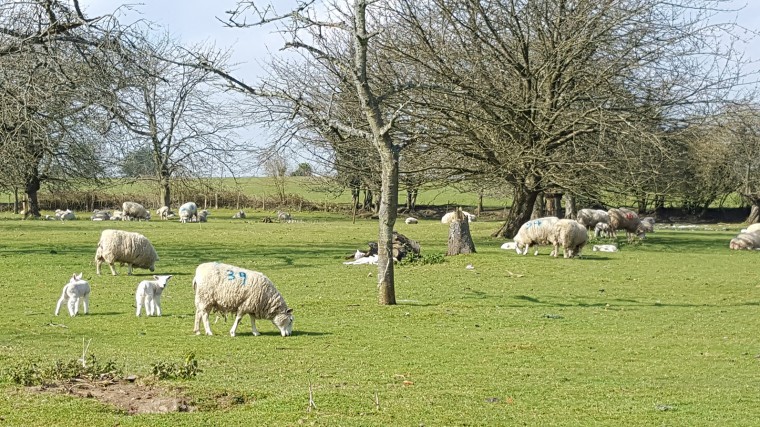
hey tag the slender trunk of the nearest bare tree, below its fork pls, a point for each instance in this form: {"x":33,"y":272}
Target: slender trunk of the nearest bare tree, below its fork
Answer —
{"x":387,"y":220}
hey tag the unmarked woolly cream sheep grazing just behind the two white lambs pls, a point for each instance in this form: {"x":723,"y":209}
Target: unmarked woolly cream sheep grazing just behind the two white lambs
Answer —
{"x":125,"y":247}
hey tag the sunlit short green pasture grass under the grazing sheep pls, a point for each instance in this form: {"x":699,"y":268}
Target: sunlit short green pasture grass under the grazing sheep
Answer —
{"x":661,"y":333}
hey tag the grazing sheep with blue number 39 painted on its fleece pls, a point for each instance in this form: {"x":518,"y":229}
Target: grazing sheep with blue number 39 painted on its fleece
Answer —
{"x":229,"y":289}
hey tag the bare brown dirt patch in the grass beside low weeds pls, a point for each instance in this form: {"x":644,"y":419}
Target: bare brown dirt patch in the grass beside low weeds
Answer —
{"x":128,"y":396}
